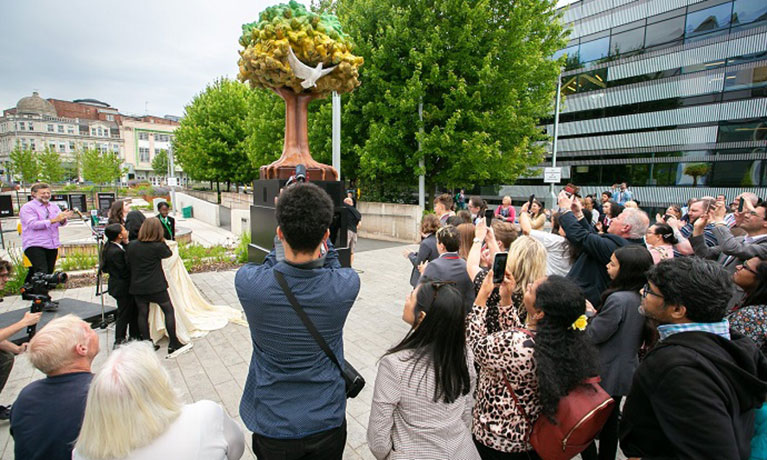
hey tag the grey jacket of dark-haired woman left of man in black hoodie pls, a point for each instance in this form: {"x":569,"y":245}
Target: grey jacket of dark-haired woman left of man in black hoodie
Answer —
{"x":617,"y":332}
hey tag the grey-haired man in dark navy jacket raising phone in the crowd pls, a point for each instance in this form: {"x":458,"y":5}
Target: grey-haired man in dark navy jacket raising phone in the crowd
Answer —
{"x":589,"y":270}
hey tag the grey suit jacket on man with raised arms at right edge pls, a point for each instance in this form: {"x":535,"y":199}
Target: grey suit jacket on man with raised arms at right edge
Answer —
{"x":731,"y":251}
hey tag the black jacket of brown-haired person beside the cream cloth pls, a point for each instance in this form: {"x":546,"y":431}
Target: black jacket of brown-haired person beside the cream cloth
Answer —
{"x":145,"y":264}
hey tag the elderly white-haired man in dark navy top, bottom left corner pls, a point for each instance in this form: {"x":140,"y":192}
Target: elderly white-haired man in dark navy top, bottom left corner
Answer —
{"x":46,"y":417}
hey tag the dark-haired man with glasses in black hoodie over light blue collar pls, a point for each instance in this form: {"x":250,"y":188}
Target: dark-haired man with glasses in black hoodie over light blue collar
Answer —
{"x":695,"y":393}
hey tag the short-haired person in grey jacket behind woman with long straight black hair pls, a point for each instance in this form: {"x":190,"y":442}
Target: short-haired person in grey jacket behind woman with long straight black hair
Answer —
{"x":449,"y":266}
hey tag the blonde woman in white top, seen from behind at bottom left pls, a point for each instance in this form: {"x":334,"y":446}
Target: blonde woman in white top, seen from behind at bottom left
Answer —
{"x":133,"y":413}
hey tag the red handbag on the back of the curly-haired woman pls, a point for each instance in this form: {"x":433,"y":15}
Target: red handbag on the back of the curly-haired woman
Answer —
{"x":580,"y":416}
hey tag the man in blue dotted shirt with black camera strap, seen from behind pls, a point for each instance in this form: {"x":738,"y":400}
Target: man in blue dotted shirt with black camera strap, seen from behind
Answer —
{"x":294,"y":399}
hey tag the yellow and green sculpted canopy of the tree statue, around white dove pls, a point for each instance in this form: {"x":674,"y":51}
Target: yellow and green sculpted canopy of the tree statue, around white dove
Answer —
{"x":314,"y":39}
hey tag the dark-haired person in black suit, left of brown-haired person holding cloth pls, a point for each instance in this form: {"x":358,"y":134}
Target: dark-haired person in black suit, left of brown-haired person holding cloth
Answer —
{"x":113,"y":263}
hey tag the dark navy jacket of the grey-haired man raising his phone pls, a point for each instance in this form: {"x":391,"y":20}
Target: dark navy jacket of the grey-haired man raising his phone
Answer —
{"x":589,"y":270}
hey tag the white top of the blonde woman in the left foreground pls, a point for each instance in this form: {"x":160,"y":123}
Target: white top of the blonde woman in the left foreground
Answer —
{"x":203,"y":431}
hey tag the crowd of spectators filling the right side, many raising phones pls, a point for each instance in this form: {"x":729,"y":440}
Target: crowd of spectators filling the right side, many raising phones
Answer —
{"x":669,"y":314}
